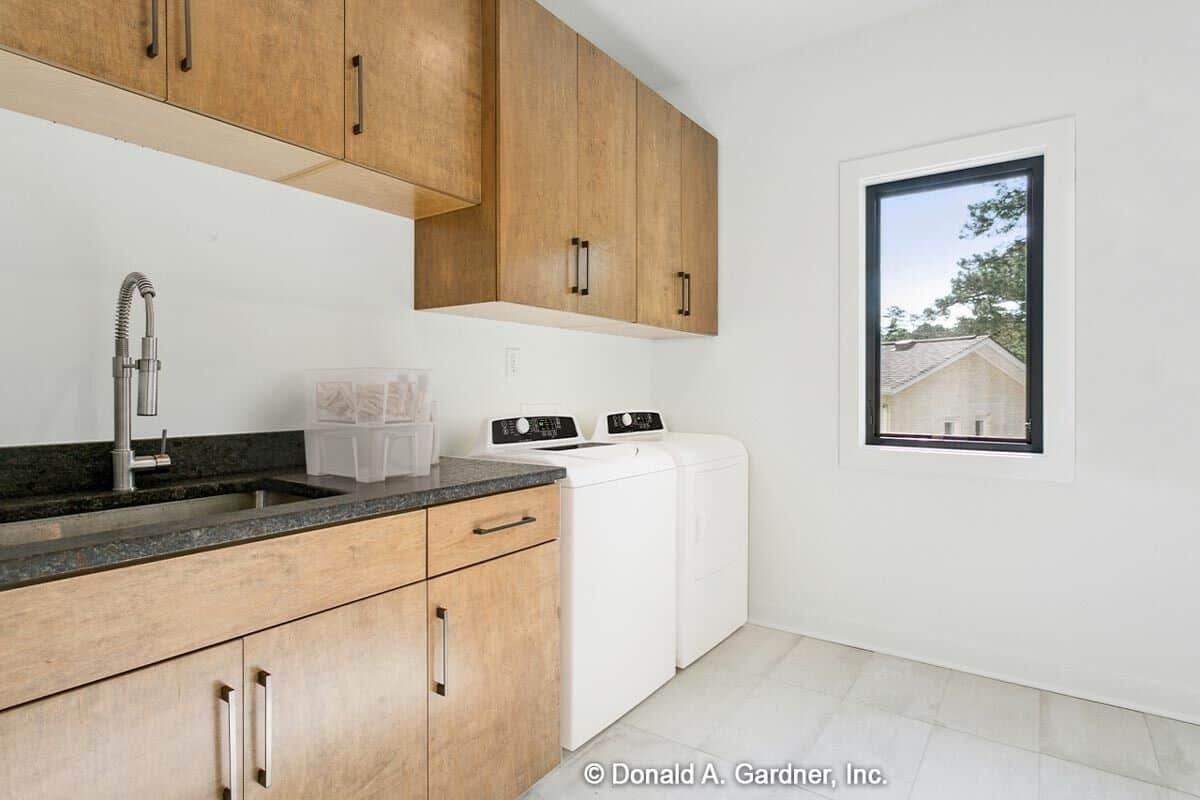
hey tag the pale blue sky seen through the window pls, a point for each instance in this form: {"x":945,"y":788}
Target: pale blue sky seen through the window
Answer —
{"x":920,"y":245}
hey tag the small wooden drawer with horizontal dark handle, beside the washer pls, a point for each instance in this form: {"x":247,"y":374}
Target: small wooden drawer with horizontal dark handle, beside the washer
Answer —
{"x":476,"y":531}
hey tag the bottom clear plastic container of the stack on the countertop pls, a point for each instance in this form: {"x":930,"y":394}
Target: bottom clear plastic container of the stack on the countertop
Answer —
{"x":370,"y":453}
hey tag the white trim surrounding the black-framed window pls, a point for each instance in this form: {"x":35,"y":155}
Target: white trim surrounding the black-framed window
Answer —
{"x":1055,"y":141}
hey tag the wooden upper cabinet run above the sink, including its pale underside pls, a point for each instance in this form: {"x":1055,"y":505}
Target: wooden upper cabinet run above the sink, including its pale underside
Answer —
{"x":268,"y":88}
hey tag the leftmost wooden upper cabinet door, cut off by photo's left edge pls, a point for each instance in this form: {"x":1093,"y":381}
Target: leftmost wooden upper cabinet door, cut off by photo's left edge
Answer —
{"x":112,"y":40}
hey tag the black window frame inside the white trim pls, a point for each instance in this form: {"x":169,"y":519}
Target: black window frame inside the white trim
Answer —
{"x":1034,"y":169}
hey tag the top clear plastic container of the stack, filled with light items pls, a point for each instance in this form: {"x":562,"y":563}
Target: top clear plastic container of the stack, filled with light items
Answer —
{"x":368,"y":396}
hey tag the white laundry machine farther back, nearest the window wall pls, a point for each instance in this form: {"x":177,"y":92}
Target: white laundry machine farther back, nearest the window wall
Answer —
{"x":713,"y":534}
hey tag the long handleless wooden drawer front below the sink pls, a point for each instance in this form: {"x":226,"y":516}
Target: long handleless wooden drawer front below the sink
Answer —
{"x":62,"y":634}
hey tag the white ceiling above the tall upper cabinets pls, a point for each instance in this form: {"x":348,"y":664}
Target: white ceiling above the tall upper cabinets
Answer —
{"x":670,"y":41}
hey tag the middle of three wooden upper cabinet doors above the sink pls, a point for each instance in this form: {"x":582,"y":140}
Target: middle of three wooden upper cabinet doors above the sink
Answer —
{"x":273,"y":67}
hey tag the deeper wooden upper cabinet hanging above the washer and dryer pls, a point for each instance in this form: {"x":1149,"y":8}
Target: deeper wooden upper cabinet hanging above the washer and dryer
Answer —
{"x":584,"y":212}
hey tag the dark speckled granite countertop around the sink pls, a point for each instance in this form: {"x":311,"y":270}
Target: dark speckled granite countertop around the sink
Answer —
{"x":332,"y":501}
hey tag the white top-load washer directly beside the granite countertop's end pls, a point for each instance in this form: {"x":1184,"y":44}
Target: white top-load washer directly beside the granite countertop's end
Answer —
{"x":619,"y":556}
